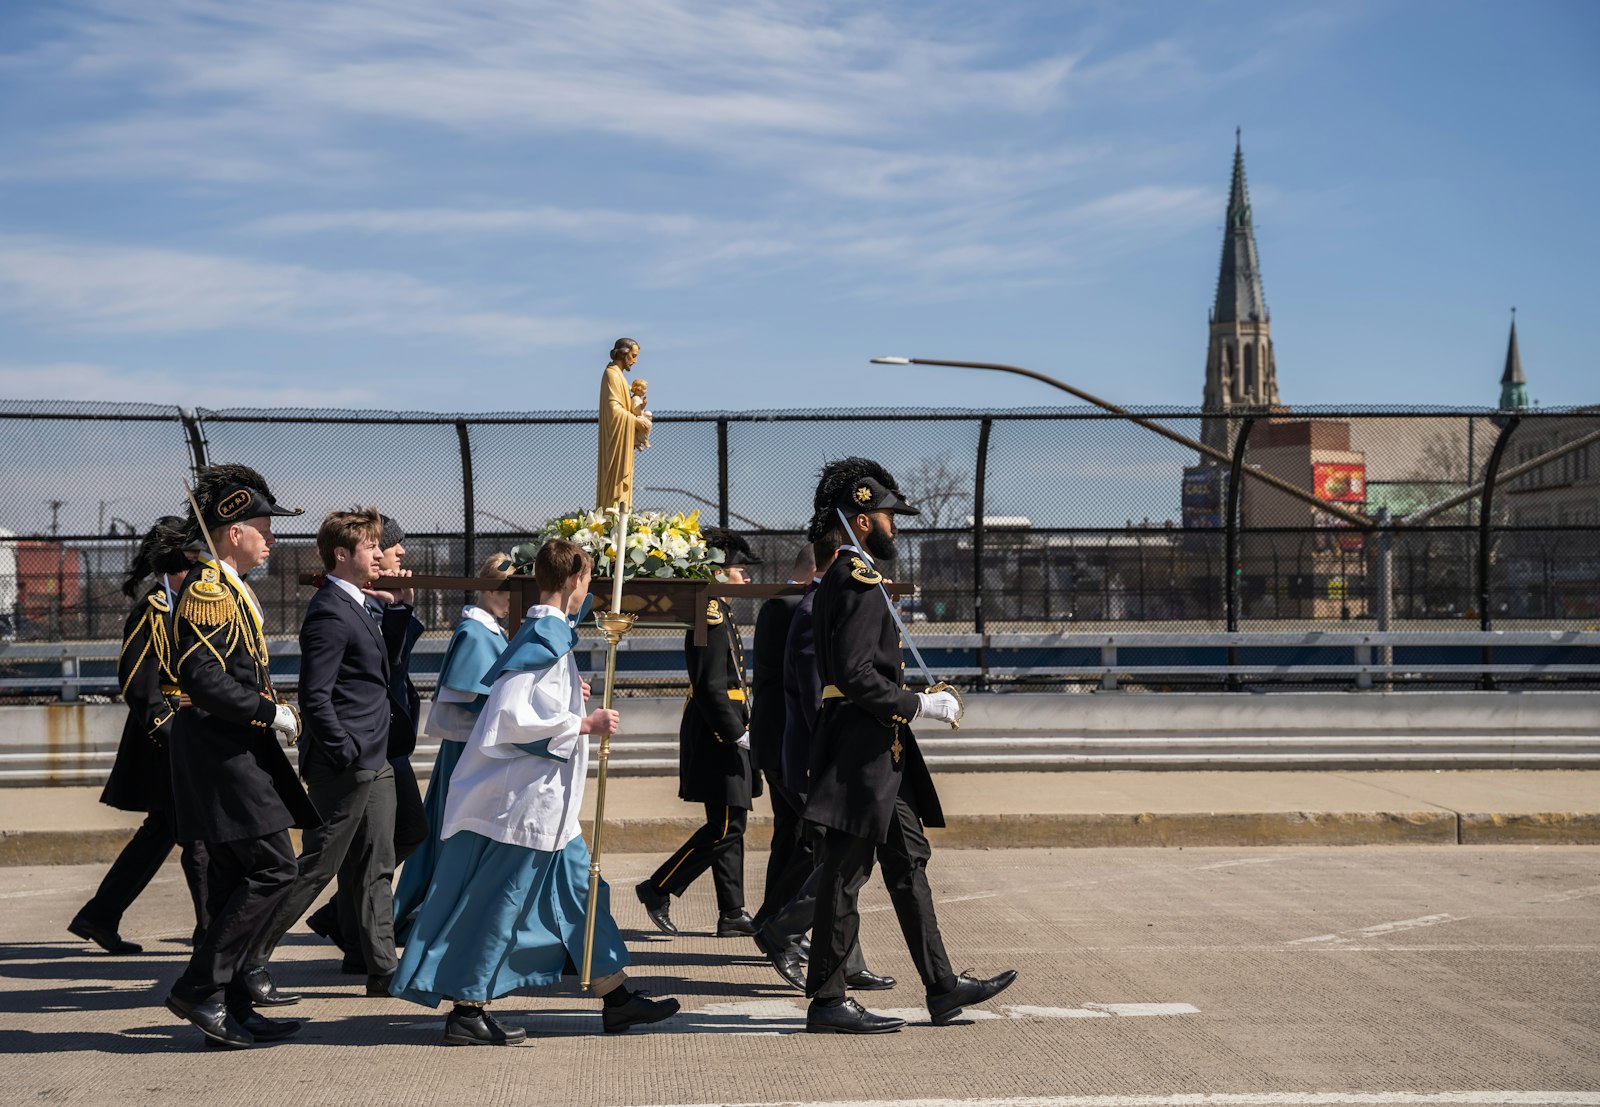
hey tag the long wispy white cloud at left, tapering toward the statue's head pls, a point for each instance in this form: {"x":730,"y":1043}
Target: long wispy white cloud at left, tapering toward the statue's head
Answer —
{"x":151,"y":290}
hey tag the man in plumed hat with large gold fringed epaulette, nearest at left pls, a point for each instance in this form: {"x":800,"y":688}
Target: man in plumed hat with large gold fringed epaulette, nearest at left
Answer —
{"x":233,"y":785}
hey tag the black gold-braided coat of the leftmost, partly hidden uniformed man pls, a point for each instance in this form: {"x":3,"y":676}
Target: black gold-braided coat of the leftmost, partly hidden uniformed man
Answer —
{"x":142,"y":778}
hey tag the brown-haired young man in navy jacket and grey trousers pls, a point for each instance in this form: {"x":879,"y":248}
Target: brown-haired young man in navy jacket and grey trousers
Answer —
{"x":345,"y":754}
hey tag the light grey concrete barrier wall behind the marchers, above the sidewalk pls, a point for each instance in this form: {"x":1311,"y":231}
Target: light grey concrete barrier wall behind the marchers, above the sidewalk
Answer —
{"x":76,"y":743}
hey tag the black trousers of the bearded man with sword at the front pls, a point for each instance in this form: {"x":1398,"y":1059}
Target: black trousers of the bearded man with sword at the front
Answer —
{"x":847,"y":863}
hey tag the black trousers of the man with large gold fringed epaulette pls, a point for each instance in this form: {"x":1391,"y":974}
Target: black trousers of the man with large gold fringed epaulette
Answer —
{"x":246,"y":884}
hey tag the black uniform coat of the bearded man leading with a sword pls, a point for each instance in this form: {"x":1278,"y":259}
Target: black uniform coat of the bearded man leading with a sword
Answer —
{"x":863,"y":753}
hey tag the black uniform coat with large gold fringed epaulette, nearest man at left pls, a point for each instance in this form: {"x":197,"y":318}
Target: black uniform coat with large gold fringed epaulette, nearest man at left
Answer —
{"x":231,"y":777}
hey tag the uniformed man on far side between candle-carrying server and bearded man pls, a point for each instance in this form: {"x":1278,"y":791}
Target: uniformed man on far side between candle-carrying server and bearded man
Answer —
{"x":714,"y":762}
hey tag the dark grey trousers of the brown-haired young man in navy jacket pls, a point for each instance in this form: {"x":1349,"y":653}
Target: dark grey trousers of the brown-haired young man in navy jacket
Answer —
{"x":356,"y":842}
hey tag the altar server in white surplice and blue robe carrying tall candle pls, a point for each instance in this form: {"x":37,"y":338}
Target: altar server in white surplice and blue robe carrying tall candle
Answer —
{"x":508,"y":901}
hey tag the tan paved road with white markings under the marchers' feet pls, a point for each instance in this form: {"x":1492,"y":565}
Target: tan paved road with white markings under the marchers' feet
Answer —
{"x":1151,"y":978}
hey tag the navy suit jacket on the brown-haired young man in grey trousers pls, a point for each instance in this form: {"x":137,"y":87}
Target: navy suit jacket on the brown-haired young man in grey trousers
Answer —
{"x":345,"y":684}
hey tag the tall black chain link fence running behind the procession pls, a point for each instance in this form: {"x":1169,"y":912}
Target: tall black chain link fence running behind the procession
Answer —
{"x":1034,"y":521}
